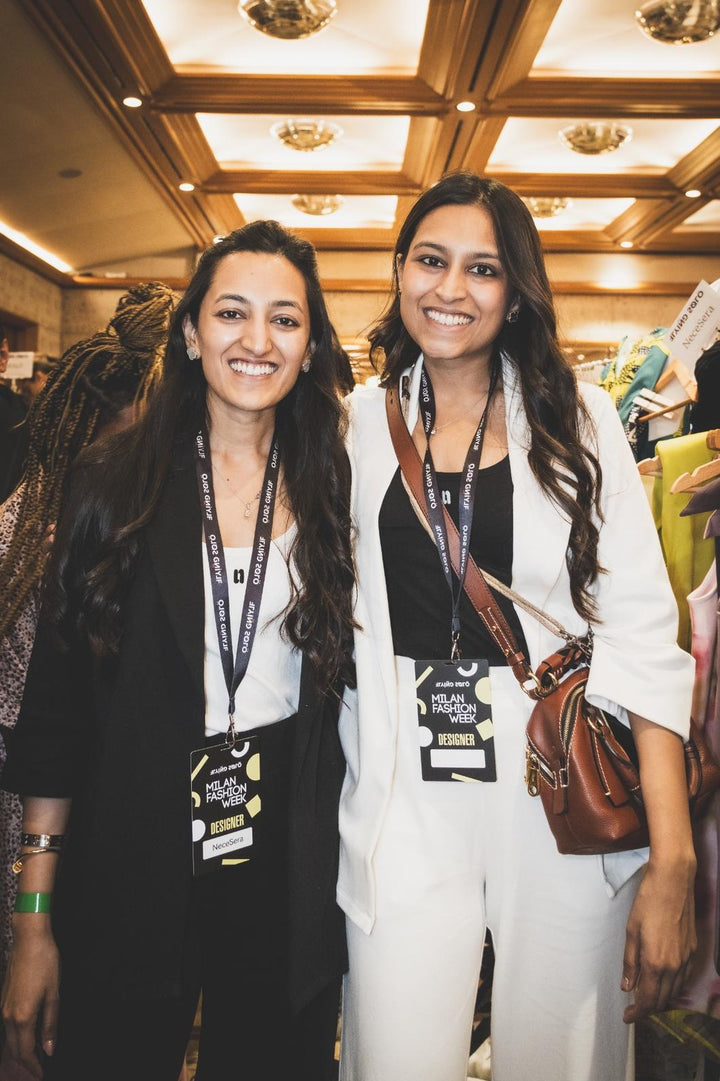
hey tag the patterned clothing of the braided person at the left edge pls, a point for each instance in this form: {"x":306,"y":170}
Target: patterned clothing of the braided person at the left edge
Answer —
{"x":15,"y":658}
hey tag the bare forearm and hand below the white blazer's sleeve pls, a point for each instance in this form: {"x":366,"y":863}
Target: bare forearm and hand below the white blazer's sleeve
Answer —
{"x":661,"y":931}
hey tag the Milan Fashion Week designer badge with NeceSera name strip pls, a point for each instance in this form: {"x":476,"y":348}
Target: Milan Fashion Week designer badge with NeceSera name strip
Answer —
{"x":226,"y":803}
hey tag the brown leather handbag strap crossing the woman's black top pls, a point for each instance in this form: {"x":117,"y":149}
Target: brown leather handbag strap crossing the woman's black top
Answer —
{"x":538,"y":685}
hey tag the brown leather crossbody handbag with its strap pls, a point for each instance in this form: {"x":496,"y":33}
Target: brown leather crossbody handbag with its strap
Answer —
{"x":580,"y":760}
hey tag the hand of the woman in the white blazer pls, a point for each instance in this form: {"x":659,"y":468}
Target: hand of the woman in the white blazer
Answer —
{"x":661,"y":939}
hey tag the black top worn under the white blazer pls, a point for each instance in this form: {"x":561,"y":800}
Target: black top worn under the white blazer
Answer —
{"x":419,"y":597}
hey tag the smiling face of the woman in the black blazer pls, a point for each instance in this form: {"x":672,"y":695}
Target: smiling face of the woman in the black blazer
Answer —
{"x":254,"y":332}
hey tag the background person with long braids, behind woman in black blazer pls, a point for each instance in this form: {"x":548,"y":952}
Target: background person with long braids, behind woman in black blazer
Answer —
{"x":99,"y":386}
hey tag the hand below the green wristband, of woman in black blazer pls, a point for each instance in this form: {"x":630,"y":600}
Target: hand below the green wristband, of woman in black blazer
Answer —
{"x":31,"y":993}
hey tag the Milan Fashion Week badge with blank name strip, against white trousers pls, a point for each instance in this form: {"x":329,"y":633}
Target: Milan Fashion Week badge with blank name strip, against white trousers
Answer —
{"x":456,"y":720}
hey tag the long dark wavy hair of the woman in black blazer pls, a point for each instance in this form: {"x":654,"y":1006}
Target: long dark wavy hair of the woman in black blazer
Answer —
{"x":311,"y":422}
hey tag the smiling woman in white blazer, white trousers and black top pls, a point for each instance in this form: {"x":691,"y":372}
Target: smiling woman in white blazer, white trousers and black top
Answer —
{"x":583,"y":944}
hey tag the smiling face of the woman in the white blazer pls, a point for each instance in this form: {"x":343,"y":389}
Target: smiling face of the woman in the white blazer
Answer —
{"x":456,"y":293}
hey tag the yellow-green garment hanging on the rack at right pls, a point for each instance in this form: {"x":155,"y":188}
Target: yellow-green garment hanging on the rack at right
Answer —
{"x":688,"y":555}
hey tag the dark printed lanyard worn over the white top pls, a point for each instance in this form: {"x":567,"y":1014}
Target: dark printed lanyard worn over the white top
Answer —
{"x":235,"y":674}
